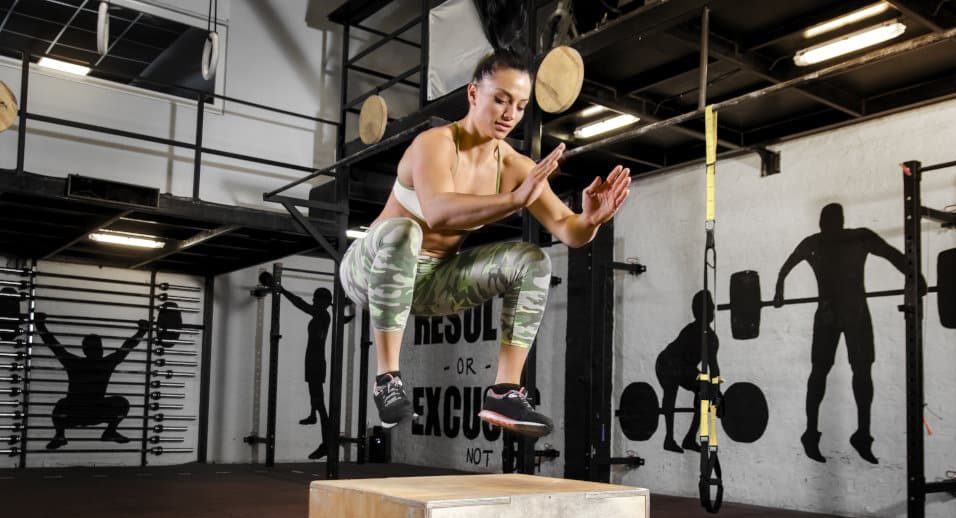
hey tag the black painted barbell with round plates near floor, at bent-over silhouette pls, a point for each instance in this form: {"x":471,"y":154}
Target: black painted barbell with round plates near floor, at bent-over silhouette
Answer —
{"x":745,"y":412}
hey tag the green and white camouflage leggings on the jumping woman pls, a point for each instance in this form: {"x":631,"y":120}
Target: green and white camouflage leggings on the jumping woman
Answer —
{"x":384,"y":272}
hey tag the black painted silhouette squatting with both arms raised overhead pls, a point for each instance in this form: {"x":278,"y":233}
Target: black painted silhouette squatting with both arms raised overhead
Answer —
{"x":86,"y":402}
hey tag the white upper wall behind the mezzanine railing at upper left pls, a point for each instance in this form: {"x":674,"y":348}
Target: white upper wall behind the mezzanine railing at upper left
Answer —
{"x":263,"y":41}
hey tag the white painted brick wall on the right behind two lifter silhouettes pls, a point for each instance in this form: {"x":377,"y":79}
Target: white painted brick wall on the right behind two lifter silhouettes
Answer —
{"x":759,"y":222}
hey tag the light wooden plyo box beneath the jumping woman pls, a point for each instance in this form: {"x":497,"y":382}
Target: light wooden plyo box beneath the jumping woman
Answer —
{"x":475,"y":496}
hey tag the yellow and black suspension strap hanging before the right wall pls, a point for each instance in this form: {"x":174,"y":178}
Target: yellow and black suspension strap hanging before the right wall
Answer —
{"x":709,"y":387}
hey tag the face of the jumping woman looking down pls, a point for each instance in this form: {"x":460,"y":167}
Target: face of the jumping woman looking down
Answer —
{"x":498,"y":101}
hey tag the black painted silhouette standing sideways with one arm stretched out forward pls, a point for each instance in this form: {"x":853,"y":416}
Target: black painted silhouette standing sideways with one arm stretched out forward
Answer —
{"x":315,"y":365}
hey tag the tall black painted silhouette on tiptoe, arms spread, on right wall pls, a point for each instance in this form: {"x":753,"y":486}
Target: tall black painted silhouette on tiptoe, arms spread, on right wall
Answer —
{"x":837,"y":256}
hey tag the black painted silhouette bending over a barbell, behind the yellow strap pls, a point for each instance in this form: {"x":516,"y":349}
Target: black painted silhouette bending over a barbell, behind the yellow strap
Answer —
{"x":678,"y":365}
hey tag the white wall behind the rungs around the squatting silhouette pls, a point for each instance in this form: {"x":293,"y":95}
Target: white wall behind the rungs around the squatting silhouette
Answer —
{"x":99,"y":307}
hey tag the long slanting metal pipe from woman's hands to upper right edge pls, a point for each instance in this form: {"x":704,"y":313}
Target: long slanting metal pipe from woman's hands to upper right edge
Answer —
{"x":871,"y":57}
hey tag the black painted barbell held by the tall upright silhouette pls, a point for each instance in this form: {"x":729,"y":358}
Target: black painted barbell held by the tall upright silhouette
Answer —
{"x":745,"y":303}
